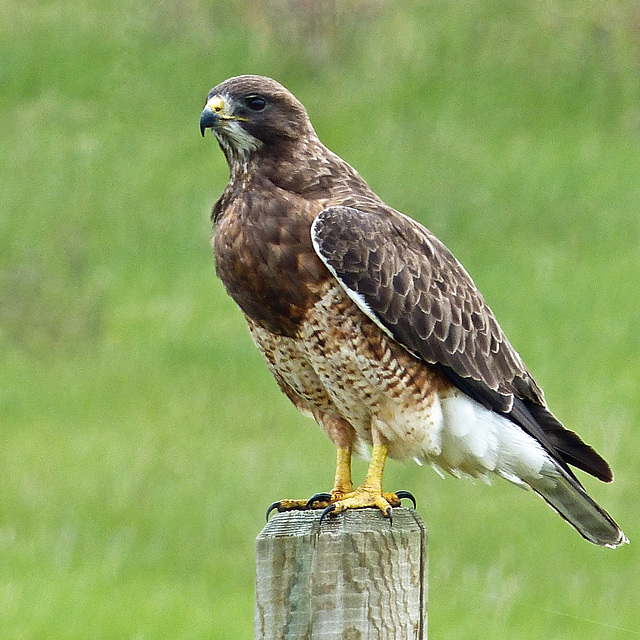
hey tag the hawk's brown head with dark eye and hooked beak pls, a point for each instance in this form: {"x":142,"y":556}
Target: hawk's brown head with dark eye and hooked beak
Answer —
{"x":247,"y":113}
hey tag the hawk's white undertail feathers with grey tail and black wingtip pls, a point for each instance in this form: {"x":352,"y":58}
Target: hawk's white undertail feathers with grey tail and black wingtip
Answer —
{"x":476,"y":440}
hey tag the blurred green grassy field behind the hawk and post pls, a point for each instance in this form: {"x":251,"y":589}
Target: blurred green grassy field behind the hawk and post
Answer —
{"x":141,"y":437}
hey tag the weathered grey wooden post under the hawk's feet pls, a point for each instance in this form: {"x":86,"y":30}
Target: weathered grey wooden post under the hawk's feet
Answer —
{"x":355,"y":577}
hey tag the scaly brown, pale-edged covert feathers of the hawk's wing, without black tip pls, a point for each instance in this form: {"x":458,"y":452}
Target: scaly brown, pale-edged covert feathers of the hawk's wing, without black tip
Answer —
{"x":420,"y":293}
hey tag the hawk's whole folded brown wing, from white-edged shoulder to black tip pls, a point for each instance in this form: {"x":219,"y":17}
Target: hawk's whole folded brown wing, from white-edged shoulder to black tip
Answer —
{"x":404,"y":279}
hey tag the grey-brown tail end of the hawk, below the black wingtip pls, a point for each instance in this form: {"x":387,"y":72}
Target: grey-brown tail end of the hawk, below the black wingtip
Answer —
{"x":567,"y":496}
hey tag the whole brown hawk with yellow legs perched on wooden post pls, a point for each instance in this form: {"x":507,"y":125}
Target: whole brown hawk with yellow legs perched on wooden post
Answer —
{"x":370,"y":325}
